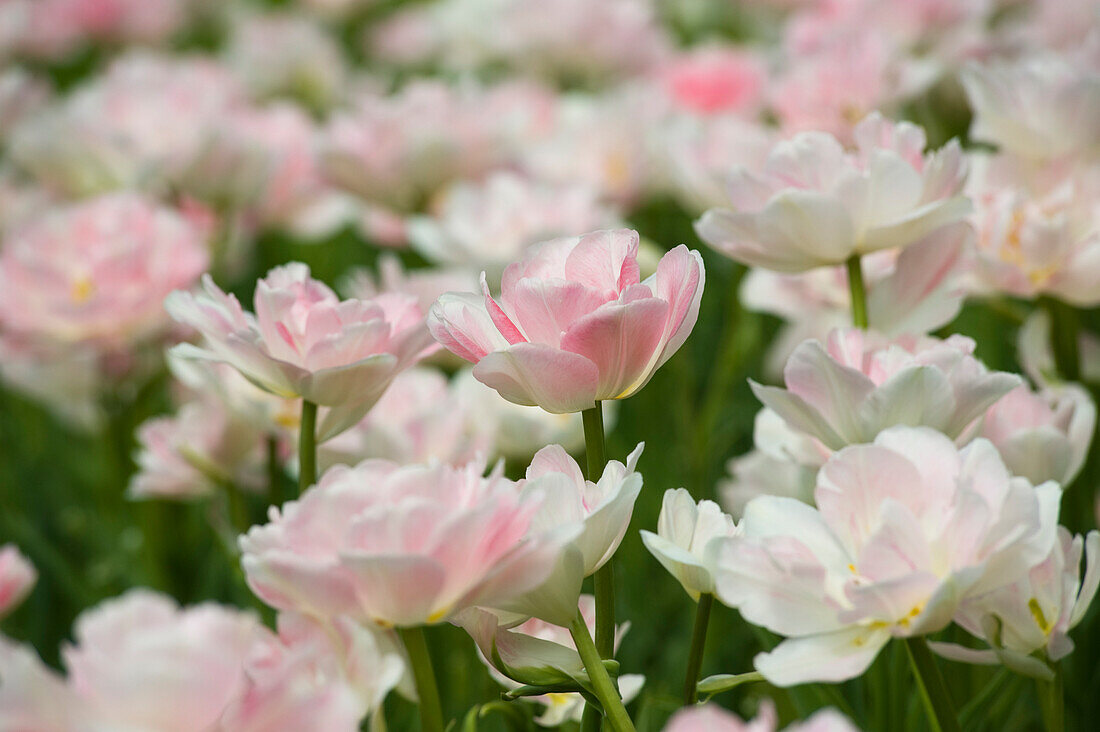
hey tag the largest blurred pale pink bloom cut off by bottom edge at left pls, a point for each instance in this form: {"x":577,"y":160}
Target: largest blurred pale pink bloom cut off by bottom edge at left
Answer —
{"x":141,"y":662}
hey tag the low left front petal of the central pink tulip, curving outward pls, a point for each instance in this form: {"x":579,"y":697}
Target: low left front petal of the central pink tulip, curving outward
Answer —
{"x":540,"y":376}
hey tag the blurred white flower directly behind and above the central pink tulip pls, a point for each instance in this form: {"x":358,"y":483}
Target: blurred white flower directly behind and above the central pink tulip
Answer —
{"x":488,"y":225}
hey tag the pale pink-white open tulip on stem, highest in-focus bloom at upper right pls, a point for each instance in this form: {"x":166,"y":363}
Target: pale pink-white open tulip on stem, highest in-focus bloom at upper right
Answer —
{"x":815,"y":204}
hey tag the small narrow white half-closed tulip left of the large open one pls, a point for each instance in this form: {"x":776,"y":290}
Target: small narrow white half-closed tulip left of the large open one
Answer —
{"x":688,"y":539}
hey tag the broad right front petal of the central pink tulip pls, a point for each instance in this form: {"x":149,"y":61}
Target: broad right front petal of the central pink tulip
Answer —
{"x":623,"y":341}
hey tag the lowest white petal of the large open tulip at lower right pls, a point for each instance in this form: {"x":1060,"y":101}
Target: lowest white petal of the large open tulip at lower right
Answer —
{"x":831,"y":658}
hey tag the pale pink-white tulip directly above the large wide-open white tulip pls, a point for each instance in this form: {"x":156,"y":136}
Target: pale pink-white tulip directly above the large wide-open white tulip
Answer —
{"x":856,"y":385}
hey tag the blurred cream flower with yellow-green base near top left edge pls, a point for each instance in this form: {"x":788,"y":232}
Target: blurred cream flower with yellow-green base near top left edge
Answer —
{"x":288,"y":56}
